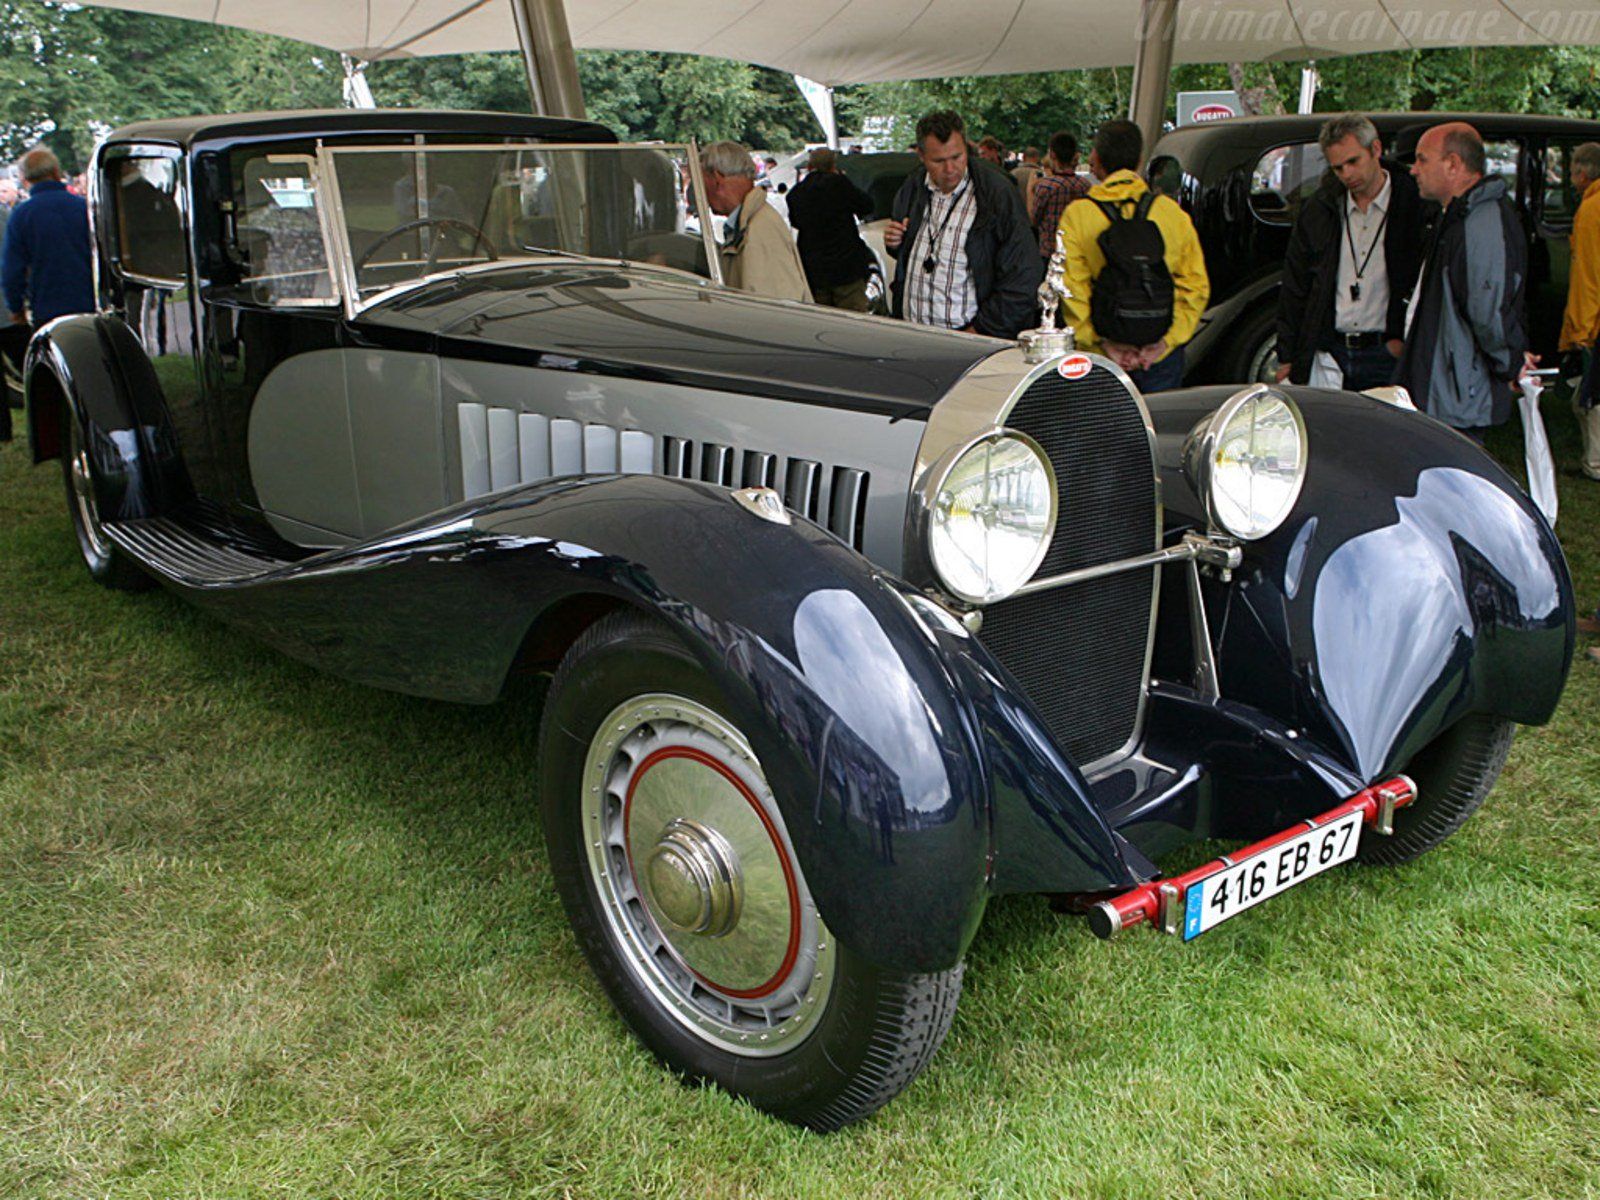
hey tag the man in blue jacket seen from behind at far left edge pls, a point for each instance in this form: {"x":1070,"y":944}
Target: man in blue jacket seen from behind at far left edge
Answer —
{"x":46,"y":262}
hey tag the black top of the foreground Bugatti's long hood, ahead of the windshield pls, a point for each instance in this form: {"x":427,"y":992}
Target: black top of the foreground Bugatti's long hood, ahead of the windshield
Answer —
{"x":655,"y":324}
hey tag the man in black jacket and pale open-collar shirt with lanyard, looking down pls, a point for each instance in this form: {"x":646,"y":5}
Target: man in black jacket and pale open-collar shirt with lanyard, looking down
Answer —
{"x":1351,"y":265}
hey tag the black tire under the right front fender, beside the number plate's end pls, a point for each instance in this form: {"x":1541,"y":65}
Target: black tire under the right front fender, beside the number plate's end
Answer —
{"x":1452,"y":774}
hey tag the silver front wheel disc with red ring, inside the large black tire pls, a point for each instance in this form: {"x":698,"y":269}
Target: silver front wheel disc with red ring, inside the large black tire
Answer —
{"x":698,"y":881}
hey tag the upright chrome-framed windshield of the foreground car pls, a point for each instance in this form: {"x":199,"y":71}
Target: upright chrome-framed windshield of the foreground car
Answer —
{"x":414,"y":212}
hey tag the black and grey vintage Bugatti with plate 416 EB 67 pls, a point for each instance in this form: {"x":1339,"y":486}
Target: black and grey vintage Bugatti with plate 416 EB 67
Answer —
{"x":852,"y":625}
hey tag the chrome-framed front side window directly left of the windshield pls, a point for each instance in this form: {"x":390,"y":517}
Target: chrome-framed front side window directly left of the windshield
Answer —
{"x":279,"y":234}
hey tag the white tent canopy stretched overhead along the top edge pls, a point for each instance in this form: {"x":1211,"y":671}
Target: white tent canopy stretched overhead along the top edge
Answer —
{"x":863,"y":41}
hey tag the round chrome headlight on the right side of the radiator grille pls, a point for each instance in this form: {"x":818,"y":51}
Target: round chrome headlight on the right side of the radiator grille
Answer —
{"x":1247,"y":462}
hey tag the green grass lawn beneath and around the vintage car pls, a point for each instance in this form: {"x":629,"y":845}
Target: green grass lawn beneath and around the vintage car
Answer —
{"x":265,"y":934}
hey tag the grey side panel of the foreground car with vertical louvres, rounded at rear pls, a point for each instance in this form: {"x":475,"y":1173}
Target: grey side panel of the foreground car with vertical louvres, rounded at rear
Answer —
{"x":346,"y":444}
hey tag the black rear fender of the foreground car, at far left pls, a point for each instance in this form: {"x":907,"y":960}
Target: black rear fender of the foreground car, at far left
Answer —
{"x":100,"y":370}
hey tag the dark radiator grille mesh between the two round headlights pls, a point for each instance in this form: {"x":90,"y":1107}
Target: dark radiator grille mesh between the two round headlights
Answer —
{"x":1081,"y":652}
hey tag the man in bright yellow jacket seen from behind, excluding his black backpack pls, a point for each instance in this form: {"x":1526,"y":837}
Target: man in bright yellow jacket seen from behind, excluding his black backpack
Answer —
{"x":1156,"y":366}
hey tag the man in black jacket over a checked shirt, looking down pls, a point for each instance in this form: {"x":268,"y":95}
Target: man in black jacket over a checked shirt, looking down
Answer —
{"x":967,"y":252}
